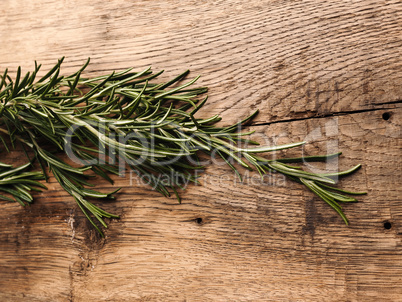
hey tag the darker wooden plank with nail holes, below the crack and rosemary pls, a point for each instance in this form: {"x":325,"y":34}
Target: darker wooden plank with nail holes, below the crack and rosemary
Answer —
{"x":272,"y":231}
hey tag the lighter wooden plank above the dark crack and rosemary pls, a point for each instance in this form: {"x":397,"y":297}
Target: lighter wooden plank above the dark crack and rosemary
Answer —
{"x":287,"y":59}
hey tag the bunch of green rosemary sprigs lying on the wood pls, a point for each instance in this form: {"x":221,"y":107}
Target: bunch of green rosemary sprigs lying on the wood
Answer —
{"x":124,"y":118}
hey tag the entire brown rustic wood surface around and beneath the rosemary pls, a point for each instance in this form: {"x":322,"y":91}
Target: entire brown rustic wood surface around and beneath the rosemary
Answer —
{"x":329,"y":72}
